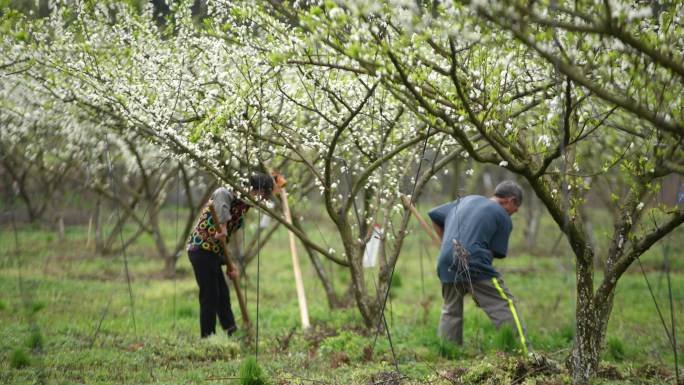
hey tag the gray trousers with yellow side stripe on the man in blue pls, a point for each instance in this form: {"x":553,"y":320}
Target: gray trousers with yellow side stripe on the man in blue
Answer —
{"x":491,"y":295}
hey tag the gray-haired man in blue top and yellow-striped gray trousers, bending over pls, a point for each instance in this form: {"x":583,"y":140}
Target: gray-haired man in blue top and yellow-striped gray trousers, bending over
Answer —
{"x":474,"y":230}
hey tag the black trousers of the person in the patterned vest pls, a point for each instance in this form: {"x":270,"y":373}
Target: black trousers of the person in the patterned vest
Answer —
{"x":214,"y":297}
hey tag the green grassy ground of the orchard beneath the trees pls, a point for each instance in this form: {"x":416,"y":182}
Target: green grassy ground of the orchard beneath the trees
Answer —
{"x":67,"y":316}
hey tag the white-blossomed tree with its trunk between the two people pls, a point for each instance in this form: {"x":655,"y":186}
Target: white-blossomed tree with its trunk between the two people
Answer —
{"x":221,"y":98}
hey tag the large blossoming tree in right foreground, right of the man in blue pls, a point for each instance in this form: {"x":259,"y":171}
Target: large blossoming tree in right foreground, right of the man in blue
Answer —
{"x":551,"y":92}
